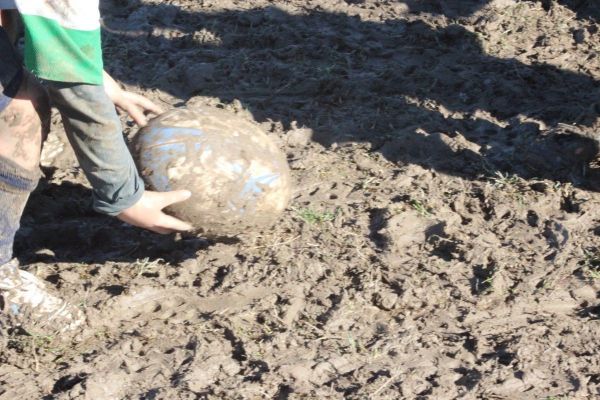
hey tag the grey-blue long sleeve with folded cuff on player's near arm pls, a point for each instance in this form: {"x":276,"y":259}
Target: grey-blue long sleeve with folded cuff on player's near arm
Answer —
{"x":94,"y":131}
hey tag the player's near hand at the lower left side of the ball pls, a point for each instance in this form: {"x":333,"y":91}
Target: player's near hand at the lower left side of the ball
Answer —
{"x":147,"y":212}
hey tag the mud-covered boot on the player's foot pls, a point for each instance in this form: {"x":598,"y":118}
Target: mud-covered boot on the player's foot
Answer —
{"x":27,"y":304}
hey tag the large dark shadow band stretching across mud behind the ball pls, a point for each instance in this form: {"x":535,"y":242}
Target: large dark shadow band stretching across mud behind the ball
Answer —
{"x":409,"y":89}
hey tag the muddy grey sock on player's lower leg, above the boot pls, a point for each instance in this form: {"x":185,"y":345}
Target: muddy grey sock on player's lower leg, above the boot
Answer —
{"x":16,"y":183}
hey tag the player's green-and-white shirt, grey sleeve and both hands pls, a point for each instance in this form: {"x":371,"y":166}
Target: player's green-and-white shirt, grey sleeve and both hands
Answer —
{"x":62,"y":47}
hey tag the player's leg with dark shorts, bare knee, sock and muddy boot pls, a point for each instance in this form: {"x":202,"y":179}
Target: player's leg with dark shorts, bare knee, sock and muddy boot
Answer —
{"x":24,"y":116}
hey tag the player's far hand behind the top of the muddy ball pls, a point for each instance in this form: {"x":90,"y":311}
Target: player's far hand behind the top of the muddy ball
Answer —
{"x":135,"y":105}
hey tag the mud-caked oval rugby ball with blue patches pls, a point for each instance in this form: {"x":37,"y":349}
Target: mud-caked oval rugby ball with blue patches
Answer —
{"x":239,"y":178}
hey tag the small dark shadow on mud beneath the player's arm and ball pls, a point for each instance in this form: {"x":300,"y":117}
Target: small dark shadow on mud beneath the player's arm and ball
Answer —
{"x":59,"y":225}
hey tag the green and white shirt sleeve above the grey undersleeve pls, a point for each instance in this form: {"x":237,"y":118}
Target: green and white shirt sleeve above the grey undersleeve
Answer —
{"x":62,"y":39}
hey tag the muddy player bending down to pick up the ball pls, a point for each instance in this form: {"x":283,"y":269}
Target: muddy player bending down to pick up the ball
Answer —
{"x":64,"y":67}
